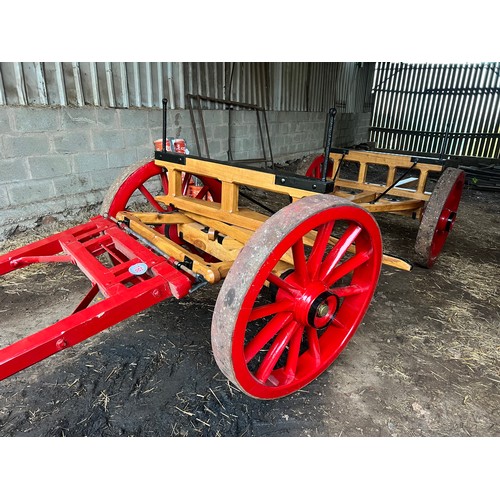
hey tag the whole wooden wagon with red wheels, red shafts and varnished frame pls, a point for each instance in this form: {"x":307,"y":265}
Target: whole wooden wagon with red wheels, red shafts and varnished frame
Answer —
{"x":296,"y":284}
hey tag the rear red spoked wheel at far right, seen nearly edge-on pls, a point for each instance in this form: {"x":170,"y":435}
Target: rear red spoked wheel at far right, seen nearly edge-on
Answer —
{"x":439,"y":216}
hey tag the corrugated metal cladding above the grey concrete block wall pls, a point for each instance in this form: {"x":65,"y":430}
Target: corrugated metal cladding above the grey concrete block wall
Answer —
{"x":286,"y":86}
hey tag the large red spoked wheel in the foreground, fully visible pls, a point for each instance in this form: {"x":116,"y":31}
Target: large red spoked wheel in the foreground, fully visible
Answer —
{"x":272,"y":340}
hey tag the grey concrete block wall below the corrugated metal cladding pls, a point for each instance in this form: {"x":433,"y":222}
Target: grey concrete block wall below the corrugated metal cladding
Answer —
{"x":61,"y":160}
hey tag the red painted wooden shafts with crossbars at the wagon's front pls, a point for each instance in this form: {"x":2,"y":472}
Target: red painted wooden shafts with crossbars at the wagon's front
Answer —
{"x":125,"y":293}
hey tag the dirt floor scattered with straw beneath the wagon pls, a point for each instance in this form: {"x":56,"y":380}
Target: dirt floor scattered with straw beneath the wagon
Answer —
{"x":424,"y":362}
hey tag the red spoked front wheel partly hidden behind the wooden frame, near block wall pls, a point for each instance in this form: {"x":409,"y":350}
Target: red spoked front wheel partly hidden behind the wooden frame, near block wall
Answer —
{"x":147,"y":180}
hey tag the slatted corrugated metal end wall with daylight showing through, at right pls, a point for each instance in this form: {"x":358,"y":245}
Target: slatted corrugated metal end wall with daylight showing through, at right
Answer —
{"x":444,"y":109}
